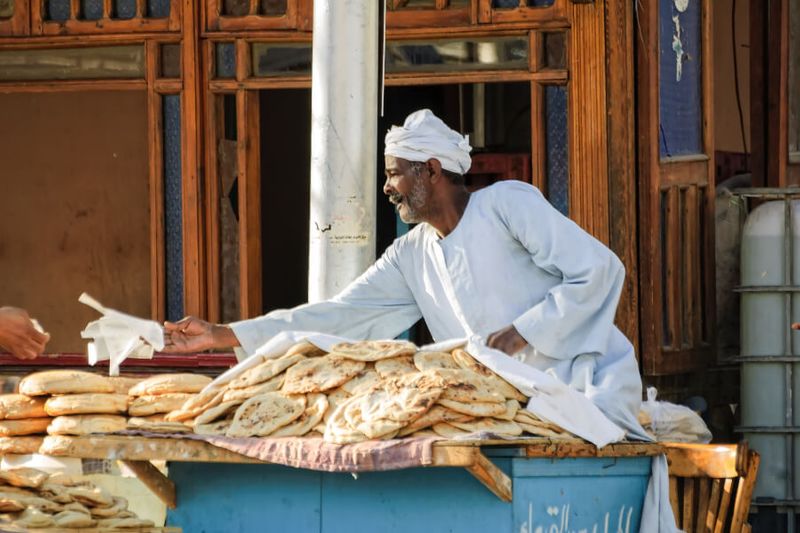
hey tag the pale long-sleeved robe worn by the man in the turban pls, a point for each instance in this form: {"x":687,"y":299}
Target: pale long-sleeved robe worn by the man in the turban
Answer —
{"x":512,"y":259}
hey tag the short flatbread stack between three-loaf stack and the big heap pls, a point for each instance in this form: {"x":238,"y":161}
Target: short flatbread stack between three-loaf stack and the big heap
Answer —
{"x":157,"y":395}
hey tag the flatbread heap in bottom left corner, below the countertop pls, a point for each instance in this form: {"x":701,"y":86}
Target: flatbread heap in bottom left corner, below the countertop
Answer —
{"x":32,"y":499}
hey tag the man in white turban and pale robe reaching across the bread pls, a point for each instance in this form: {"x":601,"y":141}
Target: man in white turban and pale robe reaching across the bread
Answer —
{"x":500,"y":263}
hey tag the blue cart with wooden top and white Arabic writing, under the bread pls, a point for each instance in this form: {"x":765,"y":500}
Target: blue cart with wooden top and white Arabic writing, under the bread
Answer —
{"x":521,"y":487}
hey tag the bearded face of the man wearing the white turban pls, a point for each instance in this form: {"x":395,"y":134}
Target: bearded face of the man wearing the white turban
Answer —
{"x":408,"y":188}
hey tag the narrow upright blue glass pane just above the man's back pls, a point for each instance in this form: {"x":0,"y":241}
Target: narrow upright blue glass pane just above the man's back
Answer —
{"x":557,"y":146}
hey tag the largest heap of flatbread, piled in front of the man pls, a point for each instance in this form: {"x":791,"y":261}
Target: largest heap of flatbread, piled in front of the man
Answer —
{"x":361,"y":391}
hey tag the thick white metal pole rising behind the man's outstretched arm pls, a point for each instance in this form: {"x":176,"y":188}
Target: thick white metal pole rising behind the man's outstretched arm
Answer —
{"x":344,"y":96}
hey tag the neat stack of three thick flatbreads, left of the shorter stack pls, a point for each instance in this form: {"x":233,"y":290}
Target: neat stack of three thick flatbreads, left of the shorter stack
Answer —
{"x":79,"y":402}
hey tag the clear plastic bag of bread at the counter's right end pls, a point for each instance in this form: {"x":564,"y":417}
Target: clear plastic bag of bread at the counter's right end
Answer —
{"x":669,"y":422}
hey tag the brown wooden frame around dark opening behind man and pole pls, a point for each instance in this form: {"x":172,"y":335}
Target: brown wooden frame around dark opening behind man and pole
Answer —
{"x":588,"y":173}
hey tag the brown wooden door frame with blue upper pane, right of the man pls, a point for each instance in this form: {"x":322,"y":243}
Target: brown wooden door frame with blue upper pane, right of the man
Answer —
{"x":653,"y":173}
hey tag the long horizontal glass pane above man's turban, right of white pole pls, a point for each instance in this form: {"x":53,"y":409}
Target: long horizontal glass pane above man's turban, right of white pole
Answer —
{"x":457,"y":55}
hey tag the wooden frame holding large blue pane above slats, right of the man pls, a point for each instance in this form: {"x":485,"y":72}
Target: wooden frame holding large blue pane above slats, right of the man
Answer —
{"x":659,"y":176}
